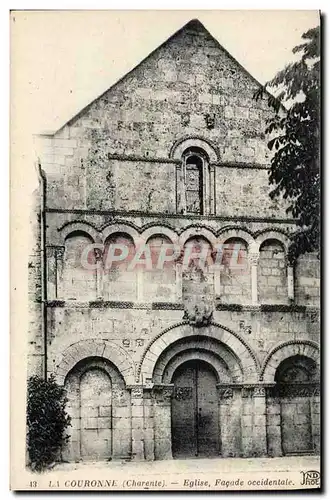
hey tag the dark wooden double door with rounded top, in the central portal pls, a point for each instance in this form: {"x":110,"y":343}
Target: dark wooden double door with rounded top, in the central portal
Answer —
{"x":195,"y":414}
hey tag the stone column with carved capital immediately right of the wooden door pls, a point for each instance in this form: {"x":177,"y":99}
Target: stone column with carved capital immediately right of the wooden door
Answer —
{"x":230,"y":408}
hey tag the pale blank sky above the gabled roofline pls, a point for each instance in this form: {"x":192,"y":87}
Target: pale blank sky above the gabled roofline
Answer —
{"x":63,"y":60}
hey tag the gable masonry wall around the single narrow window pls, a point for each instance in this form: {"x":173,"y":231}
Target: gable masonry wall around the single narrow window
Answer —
{"x":188,"y":87}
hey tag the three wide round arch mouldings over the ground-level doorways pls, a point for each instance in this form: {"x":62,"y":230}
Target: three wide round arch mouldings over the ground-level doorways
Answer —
{"x":234,"y":350}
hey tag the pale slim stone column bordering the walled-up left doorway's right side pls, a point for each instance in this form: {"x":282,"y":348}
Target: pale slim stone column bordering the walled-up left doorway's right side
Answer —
{"x":137,"y":422}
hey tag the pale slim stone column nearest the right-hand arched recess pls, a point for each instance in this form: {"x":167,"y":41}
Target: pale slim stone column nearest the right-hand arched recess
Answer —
{"x":259,"y":422}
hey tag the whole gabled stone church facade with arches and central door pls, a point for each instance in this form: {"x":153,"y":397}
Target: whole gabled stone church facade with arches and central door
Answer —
{"x":171,"y":361}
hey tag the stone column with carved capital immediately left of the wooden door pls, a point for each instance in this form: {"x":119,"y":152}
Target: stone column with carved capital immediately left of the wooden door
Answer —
{"x":162,"y":395}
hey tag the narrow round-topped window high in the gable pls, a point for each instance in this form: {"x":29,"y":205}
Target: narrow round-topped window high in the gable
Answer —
{"x":194,"y":167}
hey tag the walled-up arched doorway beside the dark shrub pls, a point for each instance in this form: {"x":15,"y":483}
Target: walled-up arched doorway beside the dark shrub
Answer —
{"x":100,"y":410}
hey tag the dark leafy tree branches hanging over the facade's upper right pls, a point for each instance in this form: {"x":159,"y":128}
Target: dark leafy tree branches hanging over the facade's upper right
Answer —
{"x":295,"y":132}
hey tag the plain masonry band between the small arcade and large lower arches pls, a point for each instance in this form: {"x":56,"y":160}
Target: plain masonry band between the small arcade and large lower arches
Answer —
{"x":132,"y":329}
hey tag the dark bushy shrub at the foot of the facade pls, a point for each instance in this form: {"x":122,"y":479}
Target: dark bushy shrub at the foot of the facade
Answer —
{"x":46,"y":421}
